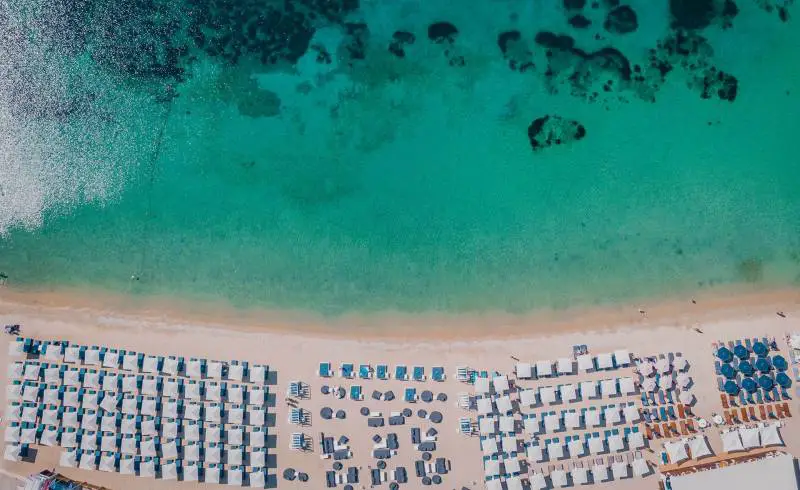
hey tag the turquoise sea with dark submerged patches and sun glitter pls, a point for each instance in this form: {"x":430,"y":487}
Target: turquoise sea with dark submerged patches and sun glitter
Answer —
{"x":341,"y":156}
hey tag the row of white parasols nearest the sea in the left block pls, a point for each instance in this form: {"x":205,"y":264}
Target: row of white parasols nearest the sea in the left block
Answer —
{"x":135,"y":362}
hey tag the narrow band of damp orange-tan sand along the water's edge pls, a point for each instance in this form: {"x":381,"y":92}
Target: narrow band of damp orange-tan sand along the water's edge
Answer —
{"x":679,"y":311}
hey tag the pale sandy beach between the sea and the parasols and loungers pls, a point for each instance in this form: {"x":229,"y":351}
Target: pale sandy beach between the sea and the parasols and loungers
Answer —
{"x":294,"y":350}
